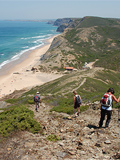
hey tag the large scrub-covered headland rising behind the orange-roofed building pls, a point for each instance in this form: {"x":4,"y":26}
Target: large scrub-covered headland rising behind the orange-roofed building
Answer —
{"x":84,"y":40}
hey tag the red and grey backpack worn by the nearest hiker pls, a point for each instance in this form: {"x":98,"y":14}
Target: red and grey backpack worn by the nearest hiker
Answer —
{"x":106,"y":100}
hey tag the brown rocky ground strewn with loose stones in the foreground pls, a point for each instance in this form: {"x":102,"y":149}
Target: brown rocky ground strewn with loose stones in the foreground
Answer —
{"x":80,"y":139}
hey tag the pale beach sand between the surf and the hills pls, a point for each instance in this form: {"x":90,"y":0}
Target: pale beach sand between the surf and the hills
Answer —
{"x":18,"y":75}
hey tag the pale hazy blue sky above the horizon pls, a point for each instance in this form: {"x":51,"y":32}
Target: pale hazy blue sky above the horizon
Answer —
{"x":53,"y":9}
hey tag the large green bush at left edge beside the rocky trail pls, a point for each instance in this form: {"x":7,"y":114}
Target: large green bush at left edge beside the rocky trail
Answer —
{"x":18,"y":118}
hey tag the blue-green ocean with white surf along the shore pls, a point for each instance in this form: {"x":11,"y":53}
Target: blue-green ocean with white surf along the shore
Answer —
{"x":18,"y":37}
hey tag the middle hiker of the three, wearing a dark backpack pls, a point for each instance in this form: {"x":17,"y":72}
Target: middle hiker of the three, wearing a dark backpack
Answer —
{"x":76,"y":103}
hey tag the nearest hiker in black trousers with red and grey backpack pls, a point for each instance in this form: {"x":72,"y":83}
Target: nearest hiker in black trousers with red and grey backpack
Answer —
{"x":106,"y":109}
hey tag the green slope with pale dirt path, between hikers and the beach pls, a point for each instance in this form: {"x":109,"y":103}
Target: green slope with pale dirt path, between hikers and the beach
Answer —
{"x":90,"y":84}
